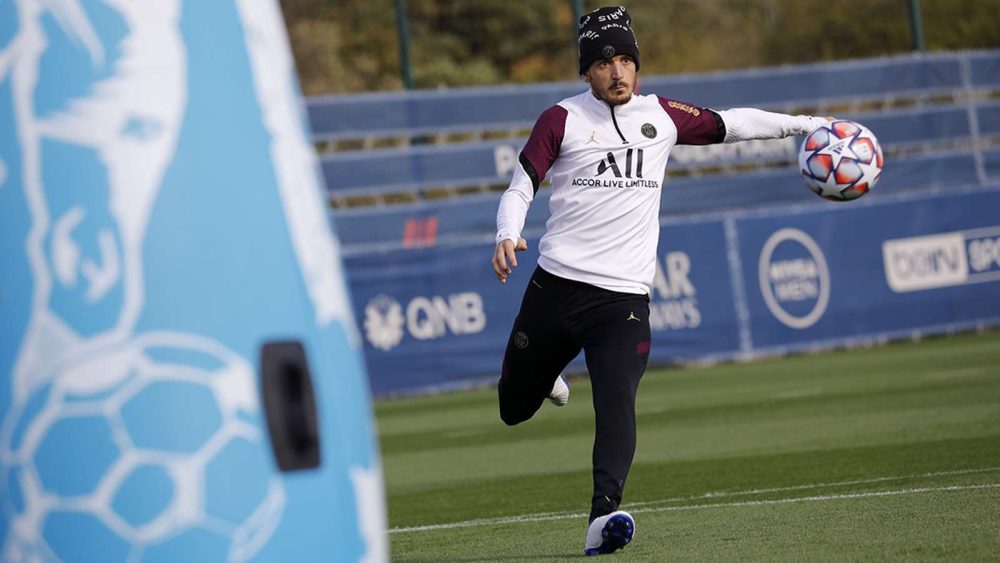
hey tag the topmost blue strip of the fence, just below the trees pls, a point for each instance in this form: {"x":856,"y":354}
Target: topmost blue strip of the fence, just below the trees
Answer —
{"x":434,"y":112}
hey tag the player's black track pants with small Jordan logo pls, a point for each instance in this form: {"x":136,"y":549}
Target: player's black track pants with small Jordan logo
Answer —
{"x":558,"y":318}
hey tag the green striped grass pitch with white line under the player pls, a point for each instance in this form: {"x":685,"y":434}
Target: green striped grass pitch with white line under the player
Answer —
{"x":890,"y":453}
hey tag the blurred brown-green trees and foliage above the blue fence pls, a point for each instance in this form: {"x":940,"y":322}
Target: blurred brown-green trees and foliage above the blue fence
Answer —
{"x":351,"y":45}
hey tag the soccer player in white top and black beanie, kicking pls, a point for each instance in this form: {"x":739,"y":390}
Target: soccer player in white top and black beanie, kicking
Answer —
{"x":605,"y":151}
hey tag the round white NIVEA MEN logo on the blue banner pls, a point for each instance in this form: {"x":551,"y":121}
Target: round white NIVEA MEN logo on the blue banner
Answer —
{"x":794,"y":278}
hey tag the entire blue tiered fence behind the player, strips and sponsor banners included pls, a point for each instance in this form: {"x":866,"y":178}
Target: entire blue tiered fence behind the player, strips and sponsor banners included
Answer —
{"x":750,"y":263}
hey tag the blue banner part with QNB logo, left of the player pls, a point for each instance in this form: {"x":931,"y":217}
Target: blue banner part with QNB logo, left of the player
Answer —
{"x":434,"y":317}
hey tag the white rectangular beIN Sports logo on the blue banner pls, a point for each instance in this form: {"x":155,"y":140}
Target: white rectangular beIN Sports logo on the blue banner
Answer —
{"x":942,"y":260}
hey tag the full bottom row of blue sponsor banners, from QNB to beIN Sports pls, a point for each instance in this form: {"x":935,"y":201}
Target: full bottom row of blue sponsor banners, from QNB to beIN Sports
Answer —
{"x":728,"y":286}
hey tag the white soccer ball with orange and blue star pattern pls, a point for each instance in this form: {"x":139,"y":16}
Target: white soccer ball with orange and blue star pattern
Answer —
{"x":841,"y":160}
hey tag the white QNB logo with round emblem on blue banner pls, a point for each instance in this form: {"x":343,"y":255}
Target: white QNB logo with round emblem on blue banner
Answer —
{"x":424,"y":318}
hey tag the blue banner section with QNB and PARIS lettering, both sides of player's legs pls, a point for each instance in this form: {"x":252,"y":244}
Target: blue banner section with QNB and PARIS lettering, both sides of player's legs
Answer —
{"x":437,"y":317}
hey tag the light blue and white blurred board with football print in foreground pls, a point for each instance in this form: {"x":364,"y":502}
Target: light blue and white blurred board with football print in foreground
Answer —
{"x":173,"y":301}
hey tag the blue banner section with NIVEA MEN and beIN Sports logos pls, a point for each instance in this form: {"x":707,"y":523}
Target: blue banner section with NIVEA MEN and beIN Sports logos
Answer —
{"x":890,"y":268}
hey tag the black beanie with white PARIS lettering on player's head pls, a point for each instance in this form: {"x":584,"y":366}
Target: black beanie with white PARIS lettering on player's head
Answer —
{"x":604,"y":33}
